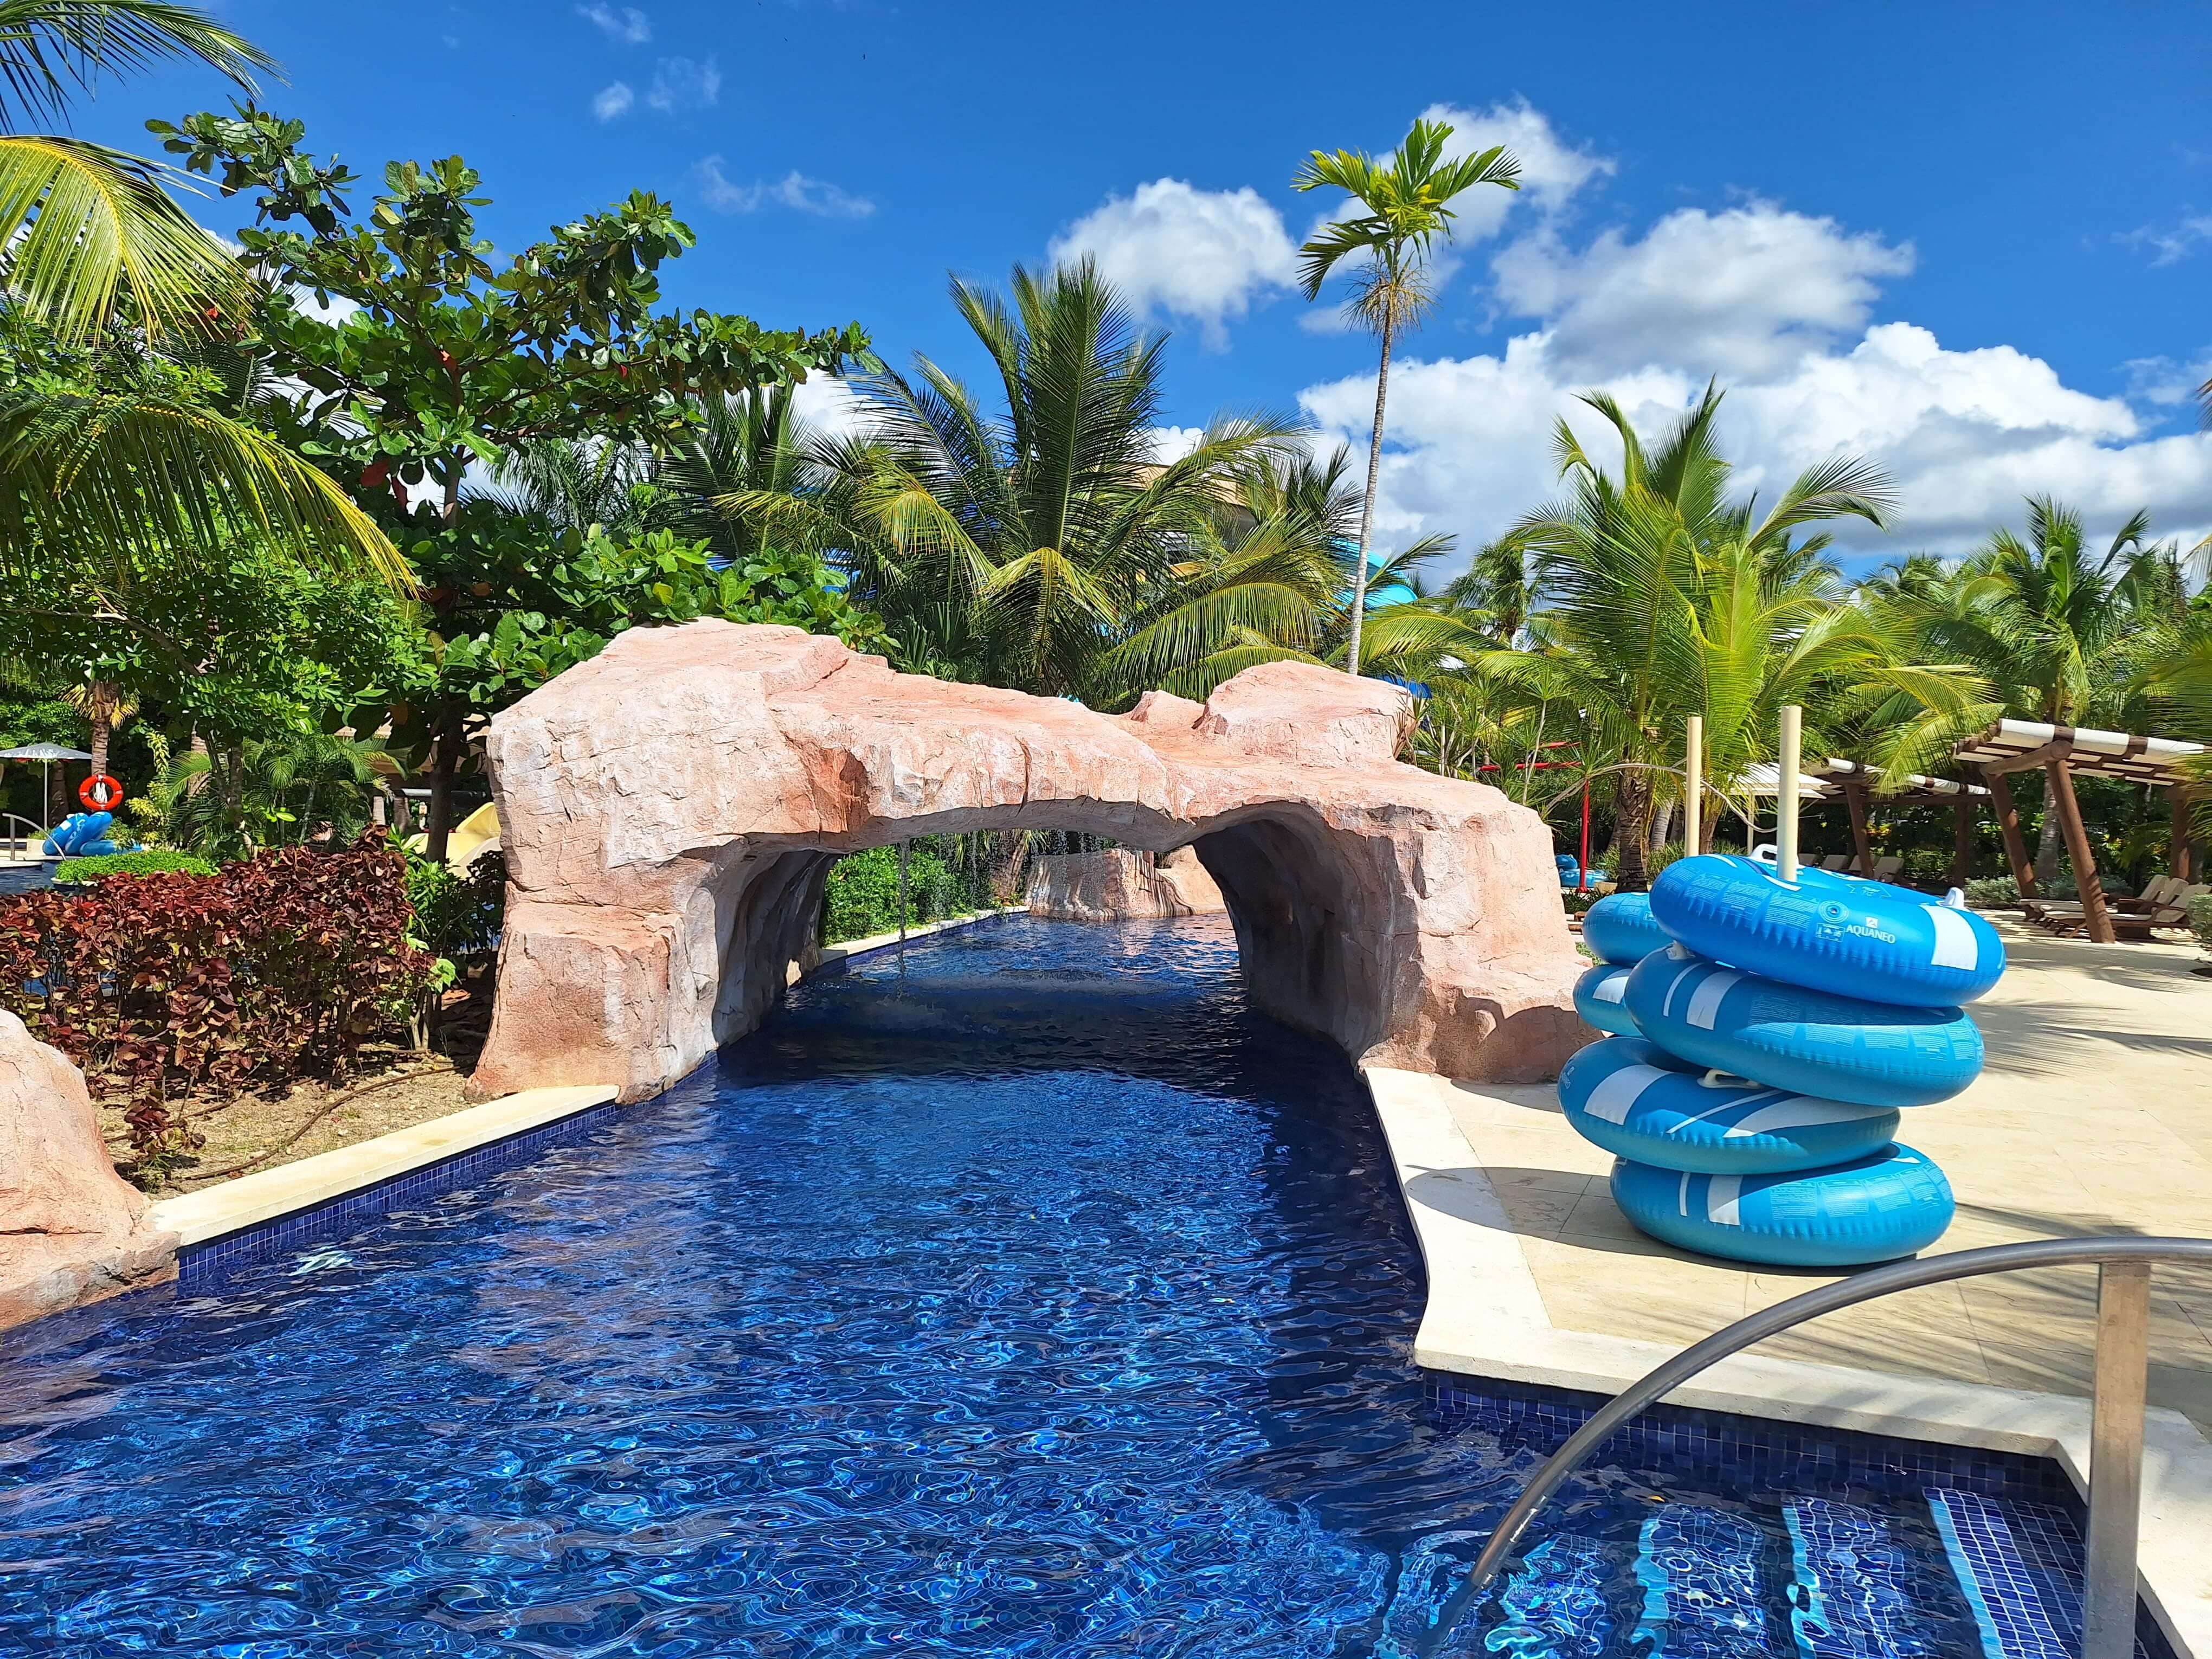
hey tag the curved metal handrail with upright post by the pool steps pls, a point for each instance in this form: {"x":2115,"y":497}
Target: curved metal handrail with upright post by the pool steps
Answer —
{"x":2116,"y":1465}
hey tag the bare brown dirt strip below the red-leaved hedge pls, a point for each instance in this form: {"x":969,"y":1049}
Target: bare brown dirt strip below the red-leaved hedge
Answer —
{"x":390,"y":1089}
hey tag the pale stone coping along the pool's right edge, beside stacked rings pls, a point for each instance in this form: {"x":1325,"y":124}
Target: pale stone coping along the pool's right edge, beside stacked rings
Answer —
{"x":1485,"y":1317}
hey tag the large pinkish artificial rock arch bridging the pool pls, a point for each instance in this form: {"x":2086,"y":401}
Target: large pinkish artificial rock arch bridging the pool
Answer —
{"x":671,"y":811}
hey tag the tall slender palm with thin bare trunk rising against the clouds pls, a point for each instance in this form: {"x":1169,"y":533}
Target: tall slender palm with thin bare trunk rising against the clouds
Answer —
{"x":1408,"y":207}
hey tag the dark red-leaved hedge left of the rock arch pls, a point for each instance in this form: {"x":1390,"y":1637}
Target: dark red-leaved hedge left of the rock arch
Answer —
{"x":167,"y":985}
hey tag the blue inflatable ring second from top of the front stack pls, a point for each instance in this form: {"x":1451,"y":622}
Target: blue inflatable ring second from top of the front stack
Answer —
{"x":1811,"y":1043}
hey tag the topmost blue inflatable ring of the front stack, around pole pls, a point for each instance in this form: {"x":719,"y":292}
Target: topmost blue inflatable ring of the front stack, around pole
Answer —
{"x":1828,"y":932}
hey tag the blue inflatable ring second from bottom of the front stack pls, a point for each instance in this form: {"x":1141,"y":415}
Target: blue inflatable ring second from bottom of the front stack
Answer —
{"x":1634,"y":1100}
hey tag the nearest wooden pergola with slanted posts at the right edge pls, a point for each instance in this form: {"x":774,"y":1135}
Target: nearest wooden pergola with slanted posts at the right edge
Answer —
{"x":2067,"y":753}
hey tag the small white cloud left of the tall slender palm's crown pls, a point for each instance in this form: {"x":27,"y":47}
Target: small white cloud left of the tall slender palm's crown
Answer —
{"x":1193,"y":253}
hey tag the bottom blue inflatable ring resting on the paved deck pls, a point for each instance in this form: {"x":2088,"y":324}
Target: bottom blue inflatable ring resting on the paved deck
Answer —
{"x":1879,"y":1209}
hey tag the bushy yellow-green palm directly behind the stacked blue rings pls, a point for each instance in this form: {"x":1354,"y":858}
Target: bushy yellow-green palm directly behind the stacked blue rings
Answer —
{"x":1669,"y":598}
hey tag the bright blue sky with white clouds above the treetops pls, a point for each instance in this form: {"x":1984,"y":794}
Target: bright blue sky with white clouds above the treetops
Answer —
{"x":1970,"y":240}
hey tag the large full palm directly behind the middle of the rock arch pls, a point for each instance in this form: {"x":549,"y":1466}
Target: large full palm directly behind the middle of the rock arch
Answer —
{"x":1012,"y":545}
